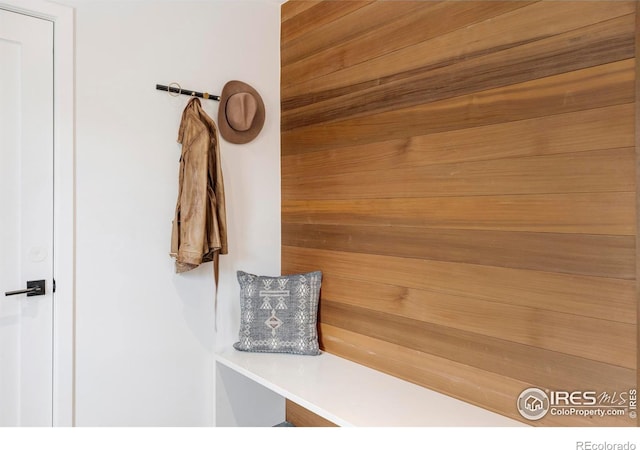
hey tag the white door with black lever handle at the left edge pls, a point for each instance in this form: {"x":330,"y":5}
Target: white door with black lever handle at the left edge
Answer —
{"x":26,"y":219}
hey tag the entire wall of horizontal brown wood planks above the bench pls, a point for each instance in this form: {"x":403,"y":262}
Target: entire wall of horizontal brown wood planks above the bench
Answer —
{"x":464,"y":174}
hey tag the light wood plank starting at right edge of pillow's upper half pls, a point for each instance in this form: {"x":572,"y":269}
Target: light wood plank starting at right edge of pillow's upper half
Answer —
{"x":487,"y":353}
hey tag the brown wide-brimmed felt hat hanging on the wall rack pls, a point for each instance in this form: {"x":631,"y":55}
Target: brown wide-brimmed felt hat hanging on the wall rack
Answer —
{"x":241,"y":112}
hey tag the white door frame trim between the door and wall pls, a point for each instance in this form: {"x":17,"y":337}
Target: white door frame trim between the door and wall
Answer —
{"x":63,"y":388}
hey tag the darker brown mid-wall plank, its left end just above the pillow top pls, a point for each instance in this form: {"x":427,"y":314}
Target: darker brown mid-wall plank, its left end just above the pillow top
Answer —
{"x":592,"y":255}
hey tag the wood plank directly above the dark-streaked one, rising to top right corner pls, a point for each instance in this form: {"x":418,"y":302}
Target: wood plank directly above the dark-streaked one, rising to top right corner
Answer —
{"x":521,"y":26}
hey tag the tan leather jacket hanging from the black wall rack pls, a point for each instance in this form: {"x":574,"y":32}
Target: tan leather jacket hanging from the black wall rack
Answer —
{"x":200,"y":228}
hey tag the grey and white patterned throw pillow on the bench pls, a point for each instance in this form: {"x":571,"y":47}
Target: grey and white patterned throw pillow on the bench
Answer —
{"x":279,"y":314}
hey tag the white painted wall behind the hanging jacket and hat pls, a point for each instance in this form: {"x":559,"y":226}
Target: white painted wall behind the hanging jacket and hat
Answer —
{"x":145,"y":335}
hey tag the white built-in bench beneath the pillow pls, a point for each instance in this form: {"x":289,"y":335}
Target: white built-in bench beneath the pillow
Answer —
{"x":343,"y":392}
